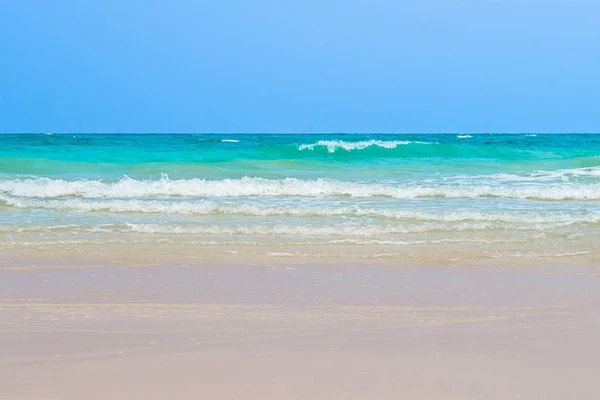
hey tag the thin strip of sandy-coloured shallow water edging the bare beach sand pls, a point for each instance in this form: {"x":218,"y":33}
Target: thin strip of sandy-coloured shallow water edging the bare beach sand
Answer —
{"x":170,"y":253}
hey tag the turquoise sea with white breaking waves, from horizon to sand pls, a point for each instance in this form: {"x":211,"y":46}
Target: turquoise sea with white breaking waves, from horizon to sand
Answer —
{"x":452,"y":196}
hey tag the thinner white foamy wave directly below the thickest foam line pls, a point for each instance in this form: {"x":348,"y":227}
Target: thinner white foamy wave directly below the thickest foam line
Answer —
{"x":209,"y":207}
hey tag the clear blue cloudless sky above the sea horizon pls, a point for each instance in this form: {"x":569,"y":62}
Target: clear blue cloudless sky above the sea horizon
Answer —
{"x":310,"y":66}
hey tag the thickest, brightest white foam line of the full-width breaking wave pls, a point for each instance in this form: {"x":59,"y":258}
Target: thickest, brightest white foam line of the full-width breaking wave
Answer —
{"x":164,"y":187}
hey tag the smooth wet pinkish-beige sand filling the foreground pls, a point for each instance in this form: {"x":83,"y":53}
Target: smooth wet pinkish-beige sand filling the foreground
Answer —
{"x":276,"y":330}
